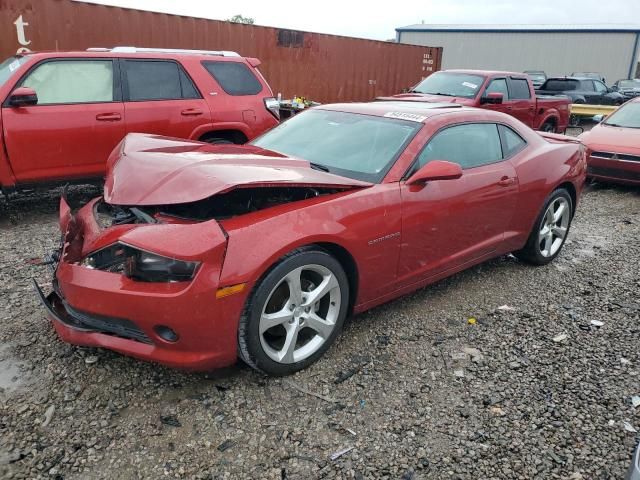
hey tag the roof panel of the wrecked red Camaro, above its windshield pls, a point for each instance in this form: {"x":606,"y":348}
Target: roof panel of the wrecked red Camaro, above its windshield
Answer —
{"x":421,"y":111}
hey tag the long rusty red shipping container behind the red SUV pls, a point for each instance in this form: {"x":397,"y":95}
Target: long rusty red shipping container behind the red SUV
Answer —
{"x":325,"y":68}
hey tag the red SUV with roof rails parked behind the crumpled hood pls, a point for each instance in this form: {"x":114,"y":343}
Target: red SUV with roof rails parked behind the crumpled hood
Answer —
{"x":63,"y":113}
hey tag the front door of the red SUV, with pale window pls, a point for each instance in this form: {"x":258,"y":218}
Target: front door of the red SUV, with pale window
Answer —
{"x":70,"y":132}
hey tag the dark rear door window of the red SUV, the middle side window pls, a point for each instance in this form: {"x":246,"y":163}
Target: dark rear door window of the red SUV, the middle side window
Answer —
{"x":157,"y":80}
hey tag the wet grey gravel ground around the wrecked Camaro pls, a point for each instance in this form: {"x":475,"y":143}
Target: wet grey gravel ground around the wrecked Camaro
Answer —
{"x":412,"y":388}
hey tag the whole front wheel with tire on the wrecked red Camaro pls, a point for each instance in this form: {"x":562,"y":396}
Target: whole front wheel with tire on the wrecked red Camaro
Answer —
{"x":294,"y":313}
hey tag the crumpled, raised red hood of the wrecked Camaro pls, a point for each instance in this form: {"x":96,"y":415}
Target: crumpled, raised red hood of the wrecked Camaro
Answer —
{"x":154,"y":170}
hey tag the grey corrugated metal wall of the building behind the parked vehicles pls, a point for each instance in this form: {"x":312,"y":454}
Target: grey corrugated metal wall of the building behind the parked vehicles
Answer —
{"x":556,"y":53}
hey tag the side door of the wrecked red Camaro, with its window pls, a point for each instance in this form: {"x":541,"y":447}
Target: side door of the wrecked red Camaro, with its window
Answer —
{"x":447,"y":223}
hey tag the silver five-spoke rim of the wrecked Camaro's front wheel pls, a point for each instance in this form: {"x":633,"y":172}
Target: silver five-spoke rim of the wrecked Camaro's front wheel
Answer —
{"x":300,"y":314}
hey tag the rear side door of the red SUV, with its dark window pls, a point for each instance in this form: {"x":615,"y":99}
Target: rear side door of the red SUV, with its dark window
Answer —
{"x":161,"y":98}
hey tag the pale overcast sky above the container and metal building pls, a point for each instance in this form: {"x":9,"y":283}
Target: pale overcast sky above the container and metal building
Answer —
{"x":378,"y":20}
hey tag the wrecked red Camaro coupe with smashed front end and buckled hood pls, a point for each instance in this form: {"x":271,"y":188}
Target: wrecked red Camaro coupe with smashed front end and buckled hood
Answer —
{"x":197,"y":254}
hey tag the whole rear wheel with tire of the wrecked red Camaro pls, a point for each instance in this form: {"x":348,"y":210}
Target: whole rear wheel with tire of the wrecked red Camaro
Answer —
{"x":550,"y":229}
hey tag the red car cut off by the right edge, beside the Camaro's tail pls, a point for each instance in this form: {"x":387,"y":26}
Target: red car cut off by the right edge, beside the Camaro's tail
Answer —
{"x":614,"y":146}
